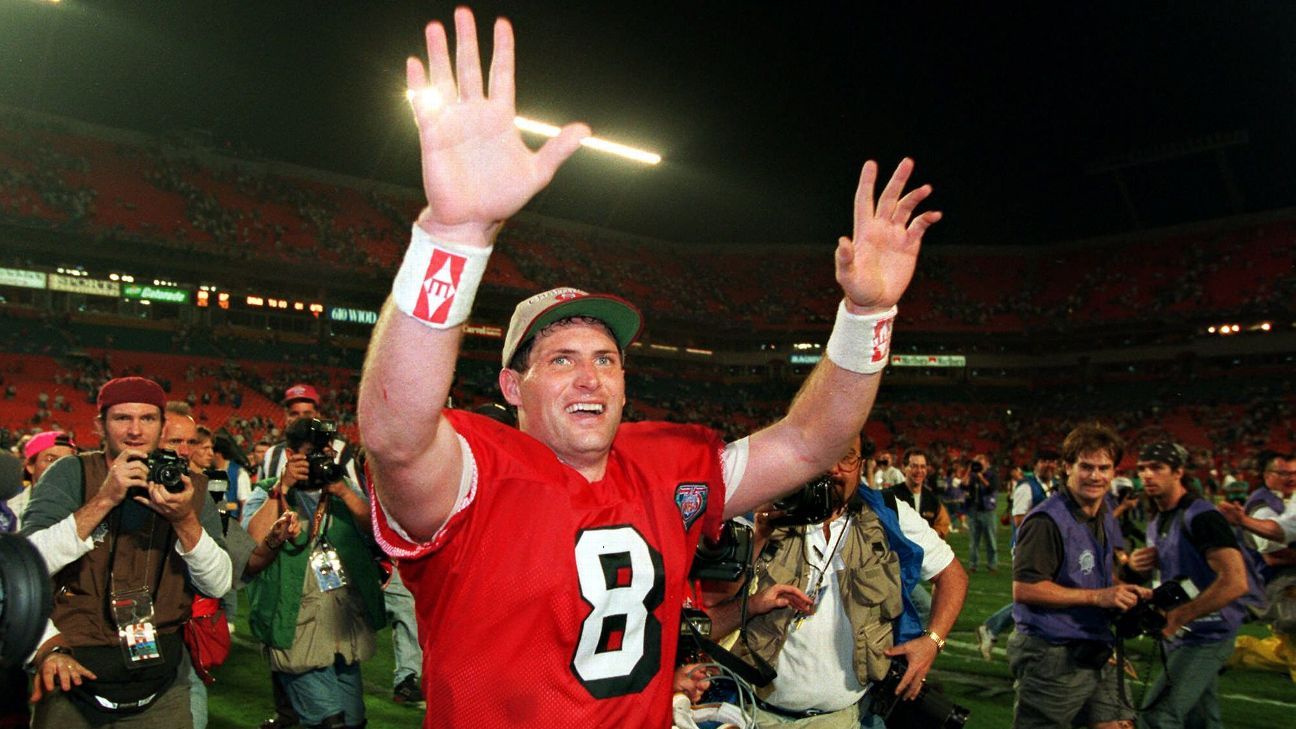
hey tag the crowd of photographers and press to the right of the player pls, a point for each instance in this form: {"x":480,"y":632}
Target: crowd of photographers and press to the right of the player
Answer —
{"x":1098,"y":560}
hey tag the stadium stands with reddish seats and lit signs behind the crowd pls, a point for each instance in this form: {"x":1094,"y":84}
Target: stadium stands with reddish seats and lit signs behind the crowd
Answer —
{"x":229,"y":280}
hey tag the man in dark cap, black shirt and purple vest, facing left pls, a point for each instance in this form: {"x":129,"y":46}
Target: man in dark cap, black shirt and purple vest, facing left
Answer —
{"x":1190,"y":540}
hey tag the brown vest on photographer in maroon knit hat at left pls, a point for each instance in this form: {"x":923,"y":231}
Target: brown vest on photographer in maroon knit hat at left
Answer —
{"x":145,"y":557}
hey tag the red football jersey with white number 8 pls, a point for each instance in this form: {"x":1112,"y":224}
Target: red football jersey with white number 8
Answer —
{"x":553,"y":601}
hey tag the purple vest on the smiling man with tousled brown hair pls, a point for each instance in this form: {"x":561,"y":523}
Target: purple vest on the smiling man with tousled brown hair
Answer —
{"x":1085,"y":566}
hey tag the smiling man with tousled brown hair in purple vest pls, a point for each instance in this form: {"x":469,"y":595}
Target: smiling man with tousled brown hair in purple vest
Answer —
{"x":1066,"y":593}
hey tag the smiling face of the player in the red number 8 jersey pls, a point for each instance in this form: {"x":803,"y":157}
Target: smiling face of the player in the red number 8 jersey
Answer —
{"x":572,"y":394}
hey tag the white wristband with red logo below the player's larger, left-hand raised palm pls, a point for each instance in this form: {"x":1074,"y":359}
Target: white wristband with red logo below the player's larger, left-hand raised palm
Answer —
{"x":437,"y":282}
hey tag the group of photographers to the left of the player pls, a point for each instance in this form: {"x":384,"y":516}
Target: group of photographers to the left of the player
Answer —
{"x":151,"y":539}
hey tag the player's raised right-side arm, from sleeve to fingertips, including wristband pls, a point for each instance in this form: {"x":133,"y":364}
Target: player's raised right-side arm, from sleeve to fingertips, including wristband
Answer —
{"x":874,"y":268}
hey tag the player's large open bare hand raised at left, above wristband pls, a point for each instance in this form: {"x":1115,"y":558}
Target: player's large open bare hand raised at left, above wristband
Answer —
{"x":476,"y":169}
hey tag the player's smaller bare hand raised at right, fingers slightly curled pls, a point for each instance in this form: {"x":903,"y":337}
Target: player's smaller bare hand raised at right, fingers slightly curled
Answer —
{"x":875,"y":265}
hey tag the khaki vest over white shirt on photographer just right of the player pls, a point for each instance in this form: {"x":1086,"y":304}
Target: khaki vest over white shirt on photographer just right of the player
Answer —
{"x":870,"y":593}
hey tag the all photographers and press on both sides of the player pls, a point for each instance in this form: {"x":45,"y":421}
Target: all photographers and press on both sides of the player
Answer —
{"x":290,"y":525}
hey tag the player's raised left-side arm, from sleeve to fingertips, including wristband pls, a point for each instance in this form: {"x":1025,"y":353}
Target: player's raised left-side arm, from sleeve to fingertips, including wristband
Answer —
{"x":476,"y":173}
